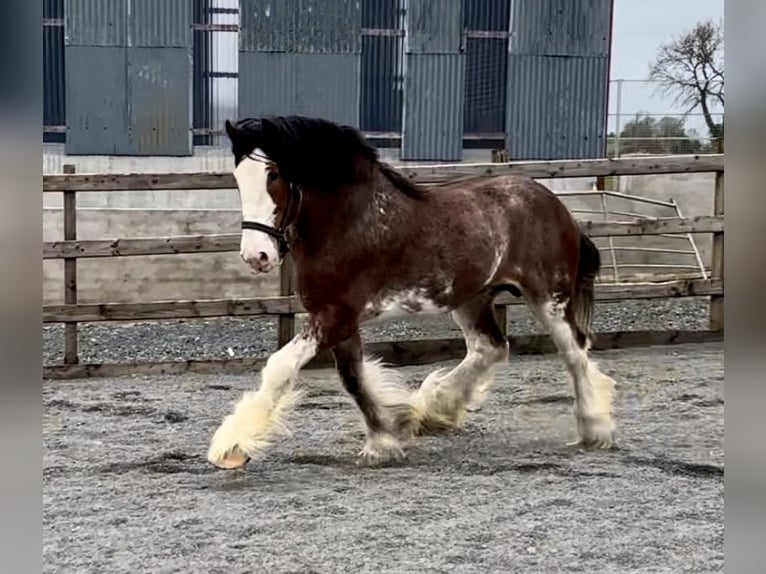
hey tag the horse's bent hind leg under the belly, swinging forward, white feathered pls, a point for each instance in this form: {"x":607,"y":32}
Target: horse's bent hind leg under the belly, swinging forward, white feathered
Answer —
{"x":443,"y":398}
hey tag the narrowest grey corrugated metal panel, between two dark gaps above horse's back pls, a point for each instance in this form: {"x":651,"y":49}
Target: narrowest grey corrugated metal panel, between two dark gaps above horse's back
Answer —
{"x":434,"y":84}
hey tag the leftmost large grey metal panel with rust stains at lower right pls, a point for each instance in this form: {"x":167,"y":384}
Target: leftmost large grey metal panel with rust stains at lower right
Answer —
{"x":141,"y":53}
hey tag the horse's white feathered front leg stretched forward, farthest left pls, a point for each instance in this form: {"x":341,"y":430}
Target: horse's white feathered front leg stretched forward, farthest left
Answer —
{"x":260,"y":414}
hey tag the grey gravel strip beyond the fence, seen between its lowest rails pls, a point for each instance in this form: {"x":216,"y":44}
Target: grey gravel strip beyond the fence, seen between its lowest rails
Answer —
{"x":255,"y":337}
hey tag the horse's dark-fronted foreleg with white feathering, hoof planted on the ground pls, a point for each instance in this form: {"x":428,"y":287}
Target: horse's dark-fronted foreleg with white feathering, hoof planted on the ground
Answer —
{"x":383,"y":400}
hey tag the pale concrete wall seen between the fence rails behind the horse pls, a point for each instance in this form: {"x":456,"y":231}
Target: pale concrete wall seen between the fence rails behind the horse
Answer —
{"x":223,"y":275}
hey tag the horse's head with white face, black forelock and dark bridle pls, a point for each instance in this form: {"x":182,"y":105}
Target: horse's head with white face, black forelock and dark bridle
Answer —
{"x":266,"y":197}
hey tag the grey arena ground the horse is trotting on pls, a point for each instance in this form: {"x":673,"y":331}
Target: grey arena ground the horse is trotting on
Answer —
{"x":127,"y":488}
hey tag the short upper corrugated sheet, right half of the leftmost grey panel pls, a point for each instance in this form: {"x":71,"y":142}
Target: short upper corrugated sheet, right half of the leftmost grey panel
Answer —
{"x":165,"y":23}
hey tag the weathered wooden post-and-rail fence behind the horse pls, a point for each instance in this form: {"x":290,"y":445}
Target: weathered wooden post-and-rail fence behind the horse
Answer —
{"x":287,"y":305}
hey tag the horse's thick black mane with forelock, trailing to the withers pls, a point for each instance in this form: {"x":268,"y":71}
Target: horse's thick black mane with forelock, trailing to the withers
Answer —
{"x":315,"y":152}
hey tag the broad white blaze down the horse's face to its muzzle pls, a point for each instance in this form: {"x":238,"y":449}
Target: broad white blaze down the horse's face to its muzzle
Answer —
{"x":257,"y":206}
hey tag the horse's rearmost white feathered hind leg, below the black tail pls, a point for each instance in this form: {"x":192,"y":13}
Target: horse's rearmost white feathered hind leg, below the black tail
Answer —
{"x":593,"y":390}
